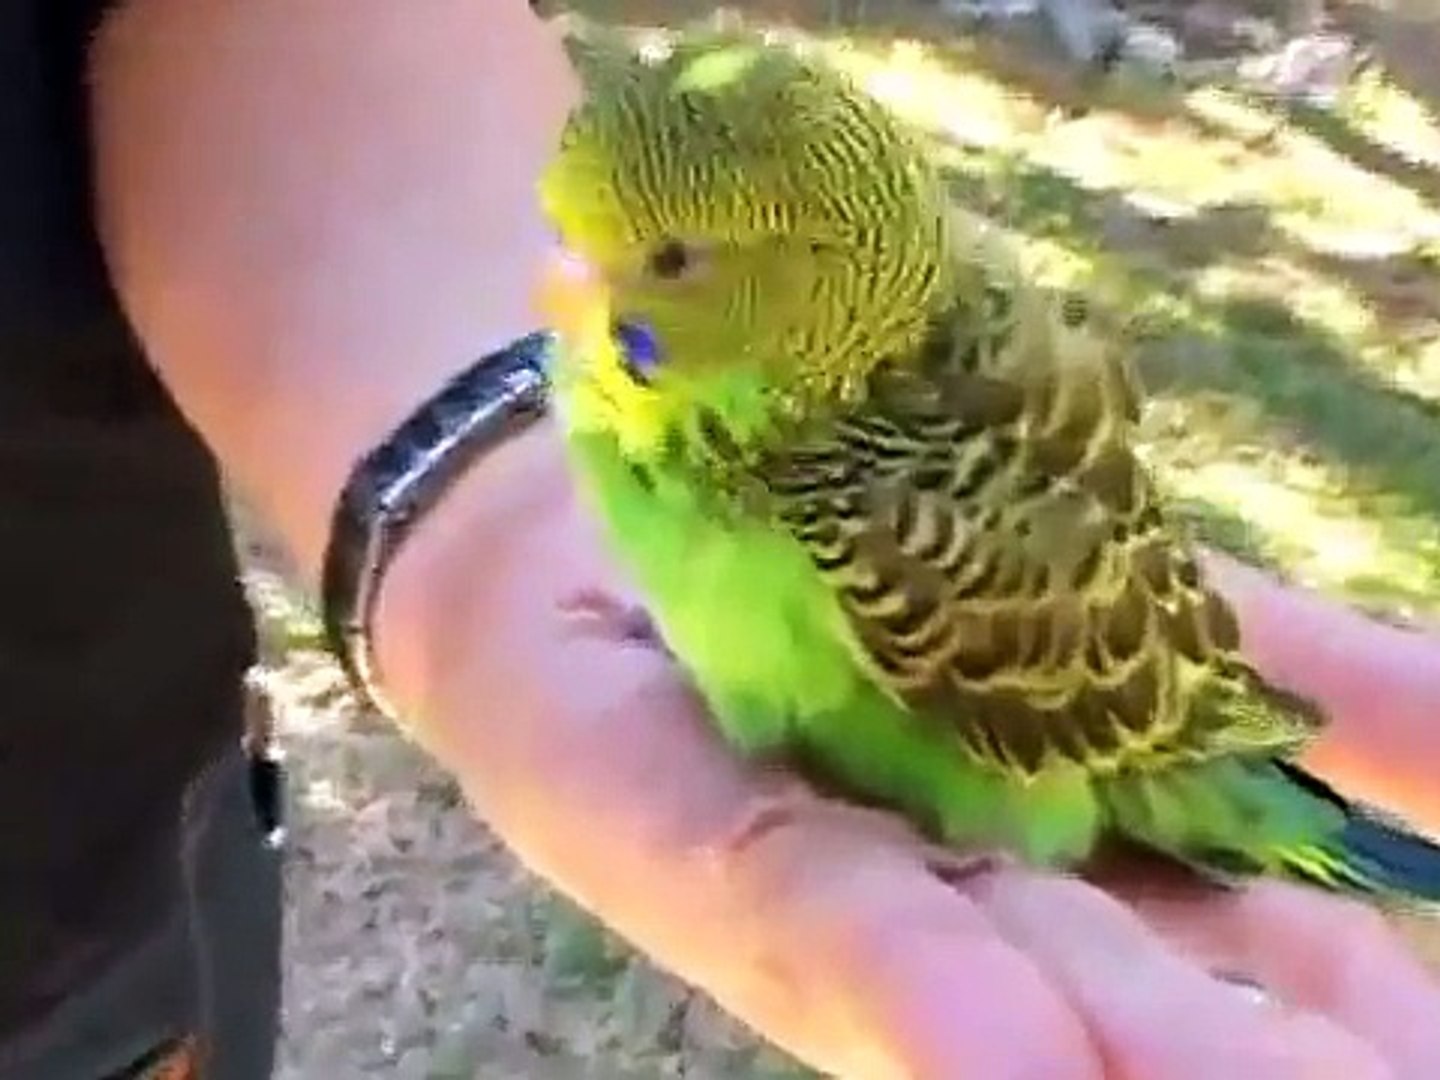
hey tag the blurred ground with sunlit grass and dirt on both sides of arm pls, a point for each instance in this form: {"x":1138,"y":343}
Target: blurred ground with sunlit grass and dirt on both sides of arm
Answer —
{"x":1279,"y":267}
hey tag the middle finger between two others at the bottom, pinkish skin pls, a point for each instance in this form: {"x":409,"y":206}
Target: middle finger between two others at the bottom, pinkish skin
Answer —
{"x":1154,"y":1014}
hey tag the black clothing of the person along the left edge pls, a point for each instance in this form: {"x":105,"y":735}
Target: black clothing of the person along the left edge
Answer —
{"x":123,"y":630}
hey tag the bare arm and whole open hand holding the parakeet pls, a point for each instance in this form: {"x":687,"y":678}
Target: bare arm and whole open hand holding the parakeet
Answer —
{"x":310,"y":227}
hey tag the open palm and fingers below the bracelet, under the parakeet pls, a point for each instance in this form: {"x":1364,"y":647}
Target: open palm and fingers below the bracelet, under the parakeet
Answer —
{"x":827,"y":932}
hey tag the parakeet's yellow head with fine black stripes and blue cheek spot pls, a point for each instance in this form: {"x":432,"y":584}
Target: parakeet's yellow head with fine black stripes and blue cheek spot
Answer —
{"x":755,"y":220}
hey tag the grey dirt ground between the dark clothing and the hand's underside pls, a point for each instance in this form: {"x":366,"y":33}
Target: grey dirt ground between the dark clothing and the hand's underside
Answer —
{"x":415,"y":944}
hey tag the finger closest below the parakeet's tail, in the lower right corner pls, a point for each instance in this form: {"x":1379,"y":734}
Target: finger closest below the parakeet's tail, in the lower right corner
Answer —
{"x":1320,"y":954}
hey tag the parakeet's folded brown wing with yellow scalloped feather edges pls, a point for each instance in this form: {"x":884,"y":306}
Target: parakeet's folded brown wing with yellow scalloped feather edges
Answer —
{"x":1004,"y":561}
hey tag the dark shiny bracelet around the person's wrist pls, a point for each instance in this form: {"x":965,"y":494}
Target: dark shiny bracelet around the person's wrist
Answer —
{"x":407,"y":476}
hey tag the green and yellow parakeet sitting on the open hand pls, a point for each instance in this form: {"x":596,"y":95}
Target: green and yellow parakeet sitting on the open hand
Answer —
{"x":882,"y":493}
